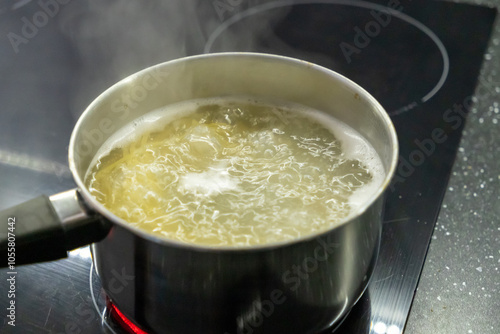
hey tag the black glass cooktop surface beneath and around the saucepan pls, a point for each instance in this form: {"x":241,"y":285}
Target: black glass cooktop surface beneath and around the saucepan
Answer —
{"x":420,"y":61}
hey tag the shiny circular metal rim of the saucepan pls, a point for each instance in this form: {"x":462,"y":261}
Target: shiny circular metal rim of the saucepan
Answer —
{"x":99,"y":209}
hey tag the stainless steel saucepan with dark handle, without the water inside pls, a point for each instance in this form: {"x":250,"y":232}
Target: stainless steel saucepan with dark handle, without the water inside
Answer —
{"x":299,"y":286}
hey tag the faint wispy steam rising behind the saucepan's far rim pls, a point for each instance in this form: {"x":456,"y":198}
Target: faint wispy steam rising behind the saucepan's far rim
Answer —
{"x":113,"y":39}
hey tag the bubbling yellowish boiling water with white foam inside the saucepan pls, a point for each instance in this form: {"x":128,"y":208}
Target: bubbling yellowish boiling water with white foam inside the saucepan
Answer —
{"x":234,"y":172}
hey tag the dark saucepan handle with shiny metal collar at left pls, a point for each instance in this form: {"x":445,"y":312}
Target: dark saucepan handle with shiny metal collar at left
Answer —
{"x":45,"y":228}
